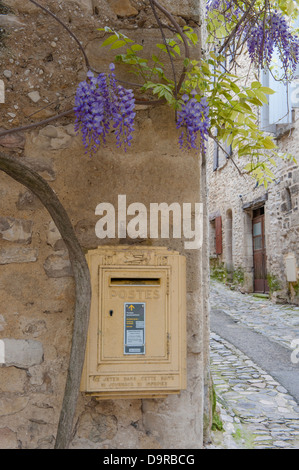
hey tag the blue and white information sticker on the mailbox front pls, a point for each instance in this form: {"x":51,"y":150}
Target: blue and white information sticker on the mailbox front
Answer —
{"x":134,"y":331}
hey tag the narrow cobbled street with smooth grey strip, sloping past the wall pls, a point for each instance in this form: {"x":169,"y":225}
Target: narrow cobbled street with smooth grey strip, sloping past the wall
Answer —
{"x":255,"y":370}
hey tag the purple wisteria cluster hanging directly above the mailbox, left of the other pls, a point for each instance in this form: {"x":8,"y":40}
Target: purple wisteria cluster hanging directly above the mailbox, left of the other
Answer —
{"x":102,"y":106}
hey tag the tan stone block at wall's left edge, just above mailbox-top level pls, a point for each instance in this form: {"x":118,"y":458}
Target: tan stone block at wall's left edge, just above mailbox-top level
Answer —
{"x":16,"y":230}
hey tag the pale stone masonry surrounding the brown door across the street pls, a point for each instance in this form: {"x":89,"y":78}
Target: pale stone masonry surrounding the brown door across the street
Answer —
{"x":229,"y":191}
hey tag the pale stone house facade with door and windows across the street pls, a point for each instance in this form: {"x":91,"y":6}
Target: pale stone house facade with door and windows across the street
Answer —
{"x":254,"y":231}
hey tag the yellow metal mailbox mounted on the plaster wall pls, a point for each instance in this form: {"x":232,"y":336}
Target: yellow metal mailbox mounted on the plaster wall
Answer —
{"x":136,"y":344}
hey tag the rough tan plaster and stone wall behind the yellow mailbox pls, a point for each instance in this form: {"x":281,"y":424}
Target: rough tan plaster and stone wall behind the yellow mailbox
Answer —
{"x":36,"y":284}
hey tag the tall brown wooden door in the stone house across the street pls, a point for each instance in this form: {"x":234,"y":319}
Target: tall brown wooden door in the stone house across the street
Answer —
{"x":259,"y":254}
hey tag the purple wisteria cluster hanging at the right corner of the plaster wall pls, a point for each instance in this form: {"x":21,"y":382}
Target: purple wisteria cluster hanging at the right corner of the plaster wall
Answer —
{"x":194,"y":119}
